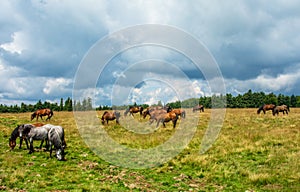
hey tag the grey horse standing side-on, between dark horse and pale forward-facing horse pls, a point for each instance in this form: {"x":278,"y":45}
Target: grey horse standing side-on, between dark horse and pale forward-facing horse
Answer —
{"x":34,"y":133}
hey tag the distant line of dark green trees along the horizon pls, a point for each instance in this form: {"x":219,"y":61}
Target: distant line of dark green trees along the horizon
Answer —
{"x":247,"y":100}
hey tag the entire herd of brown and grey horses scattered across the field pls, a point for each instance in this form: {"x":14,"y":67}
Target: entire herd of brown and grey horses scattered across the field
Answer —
{"x":54,"y":136}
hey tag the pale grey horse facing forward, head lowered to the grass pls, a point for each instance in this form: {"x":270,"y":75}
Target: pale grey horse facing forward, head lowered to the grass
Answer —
{"x":56,"y":138}
